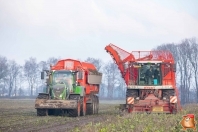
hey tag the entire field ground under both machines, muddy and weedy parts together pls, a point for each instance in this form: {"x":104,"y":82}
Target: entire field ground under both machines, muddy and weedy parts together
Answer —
{"x":19,"y":115}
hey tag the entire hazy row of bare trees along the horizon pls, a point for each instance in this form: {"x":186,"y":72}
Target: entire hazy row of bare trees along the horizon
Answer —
{"x":24,"y":80}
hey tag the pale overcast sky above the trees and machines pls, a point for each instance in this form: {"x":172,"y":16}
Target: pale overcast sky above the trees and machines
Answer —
{"x":82,"y":28}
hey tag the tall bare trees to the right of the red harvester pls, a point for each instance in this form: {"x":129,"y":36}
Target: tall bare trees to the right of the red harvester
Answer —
{"x":185,"y":54}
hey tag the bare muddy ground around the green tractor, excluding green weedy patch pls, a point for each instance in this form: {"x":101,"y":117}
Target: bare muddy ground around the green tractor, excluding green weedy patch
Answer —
{"x":20,"y":115}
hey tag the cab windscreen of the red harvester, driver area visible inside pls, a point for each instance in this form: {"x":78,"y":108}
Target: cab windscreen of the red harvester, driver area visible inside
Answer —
{"x":149,"y":74}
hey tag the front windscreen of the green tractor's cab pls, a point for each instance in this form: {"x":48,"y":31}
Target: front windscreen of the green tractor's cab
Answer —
{"x":63,"y":78}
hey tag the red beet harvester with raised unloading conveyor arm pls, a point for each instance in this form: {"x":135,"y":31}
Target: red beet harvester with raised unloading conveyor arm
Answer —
{"x":150,"y":80}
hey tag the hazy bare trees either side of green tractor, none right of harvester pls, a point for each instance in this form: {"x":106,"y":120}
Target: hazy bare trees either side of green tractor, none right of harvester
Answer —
{"x":24,"y":80}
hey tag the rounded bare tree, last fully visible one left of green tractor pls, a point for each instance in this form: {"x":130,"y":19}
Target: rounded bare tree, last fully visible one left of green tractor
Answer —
{"x":31,"y":73}
